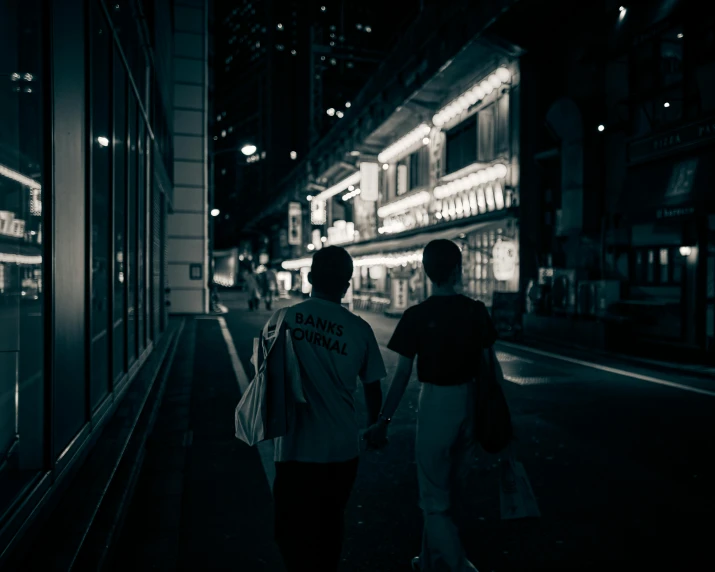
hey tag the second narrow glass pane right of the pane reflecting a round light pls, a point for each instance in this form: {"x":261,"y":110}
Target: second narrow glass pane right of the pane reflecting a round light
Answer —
{"x":132,"y":218}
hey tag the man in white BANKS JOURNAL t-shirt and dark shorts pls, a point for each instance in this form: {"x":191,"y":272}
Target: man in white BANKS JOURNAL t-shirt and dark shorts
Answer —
{"x":316,"y":463}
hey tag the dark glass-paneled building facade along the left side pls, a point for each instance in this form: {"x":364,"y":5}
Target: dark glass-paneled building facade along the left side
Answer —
{"x":86,"y":184}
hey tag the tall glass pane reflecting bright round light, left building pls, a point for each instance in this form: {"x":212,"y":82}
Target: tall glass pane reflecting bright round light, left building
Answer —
{"x":100,"y":157}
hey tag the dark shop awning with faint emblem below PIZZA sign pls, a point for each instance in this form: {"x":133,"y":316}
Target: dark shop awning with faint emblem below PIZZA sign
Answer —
{"x":666,"y":189}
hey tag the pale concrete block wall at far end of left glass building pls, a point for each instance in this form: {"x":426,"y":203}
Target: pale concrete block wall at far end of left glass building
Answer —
{"x":187,"y":226}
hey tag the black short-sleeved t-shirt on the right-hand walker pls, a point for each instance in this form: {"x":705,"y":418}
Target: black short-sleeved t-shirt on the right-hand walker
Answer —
{"x":446,"y":333}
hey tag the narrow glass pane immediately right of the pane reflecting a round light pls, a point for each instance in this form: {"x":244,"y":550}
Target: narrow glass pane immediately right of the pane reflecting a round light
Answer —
{"x":120,"y":179}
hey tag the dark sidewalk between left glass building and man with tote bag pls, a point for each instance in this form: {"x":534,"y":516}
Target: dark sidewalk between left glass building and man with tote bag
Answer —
{"x":202,"y":501}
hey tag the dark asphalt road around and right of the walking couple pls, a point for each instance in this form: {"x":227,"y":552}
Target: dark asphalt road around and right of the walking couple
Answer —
{"x":620,"y":460}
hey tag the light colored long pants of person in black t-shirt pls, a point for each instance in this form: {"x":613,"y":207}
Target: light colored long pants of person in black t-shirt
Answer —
{"x":444,"y":452}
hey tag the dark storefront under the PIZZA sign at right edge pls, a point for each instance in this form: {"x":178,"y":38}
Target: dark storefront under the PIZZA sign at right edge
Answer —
{"x":669,"y":210}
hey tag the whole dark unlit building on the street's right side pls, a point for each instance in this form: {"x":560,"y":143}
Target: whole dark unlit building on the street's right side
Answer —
{"x":616,"y":145}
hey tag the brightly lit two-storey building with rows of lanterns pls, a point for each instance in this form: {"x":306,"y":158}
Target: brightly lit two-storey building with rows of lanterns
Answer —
{"x":443,"y":163}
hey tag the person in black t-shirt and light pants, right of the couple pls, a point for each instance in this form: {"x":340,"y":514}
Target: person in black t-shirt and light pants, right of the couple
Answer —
{"x":445,"y":333}
